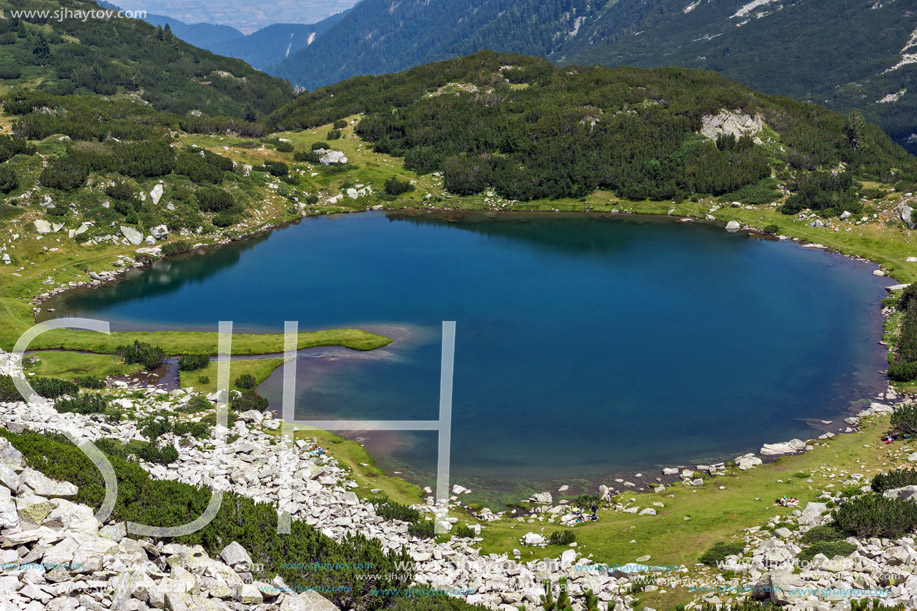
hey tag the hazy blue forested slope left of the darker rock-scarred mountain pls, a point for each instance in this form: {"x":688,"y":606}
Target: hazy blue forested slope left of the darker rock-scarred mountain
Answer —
{"x":379,"y":36}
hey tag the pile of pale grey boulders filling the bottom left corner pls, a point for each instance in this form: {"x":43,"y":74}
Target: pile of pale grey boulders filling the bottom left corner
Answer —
{"x":54,"y":554}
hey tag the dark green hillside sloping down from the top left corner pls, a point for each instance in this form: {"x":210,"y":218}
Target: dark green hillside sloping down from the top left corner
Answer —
{"x":125,"y":56}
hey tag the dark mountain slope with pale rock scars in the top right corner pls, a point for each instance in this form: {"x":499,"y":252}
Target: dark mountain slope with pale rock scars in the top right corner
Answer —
{"x":843,"y":54}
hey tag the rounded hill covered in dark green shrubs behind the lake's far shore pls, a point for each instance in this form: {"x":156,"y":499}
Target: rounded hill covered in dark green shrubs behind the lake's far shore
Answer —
{"x":530,"y":130}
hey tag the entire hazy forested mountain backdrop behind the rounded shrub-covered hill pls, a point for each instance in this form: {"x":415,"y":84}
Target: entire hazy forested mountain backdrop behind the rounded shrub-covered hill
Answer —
{"x":841,"y":53}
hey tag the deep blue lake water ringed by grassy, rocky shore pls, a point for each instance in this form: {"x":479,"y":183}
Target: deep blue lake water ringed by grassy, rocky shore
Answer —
{"x":585,"y":346}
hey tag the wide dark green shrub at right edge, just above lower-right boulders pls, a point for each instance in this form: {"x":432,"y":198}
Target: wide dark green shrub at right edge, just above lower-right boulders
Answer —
{"x":873,"y":515}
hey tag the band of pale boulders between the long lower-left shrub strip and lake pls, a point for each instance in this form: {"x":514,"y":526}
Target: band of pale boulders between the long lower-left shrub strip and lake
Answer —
{"x":256,"y":465}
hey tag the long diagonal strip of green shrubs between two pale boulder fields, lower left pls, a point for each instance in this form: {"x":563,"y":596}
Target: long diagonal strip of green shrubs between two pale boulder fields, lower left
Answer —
{"x":253,"y":525}
